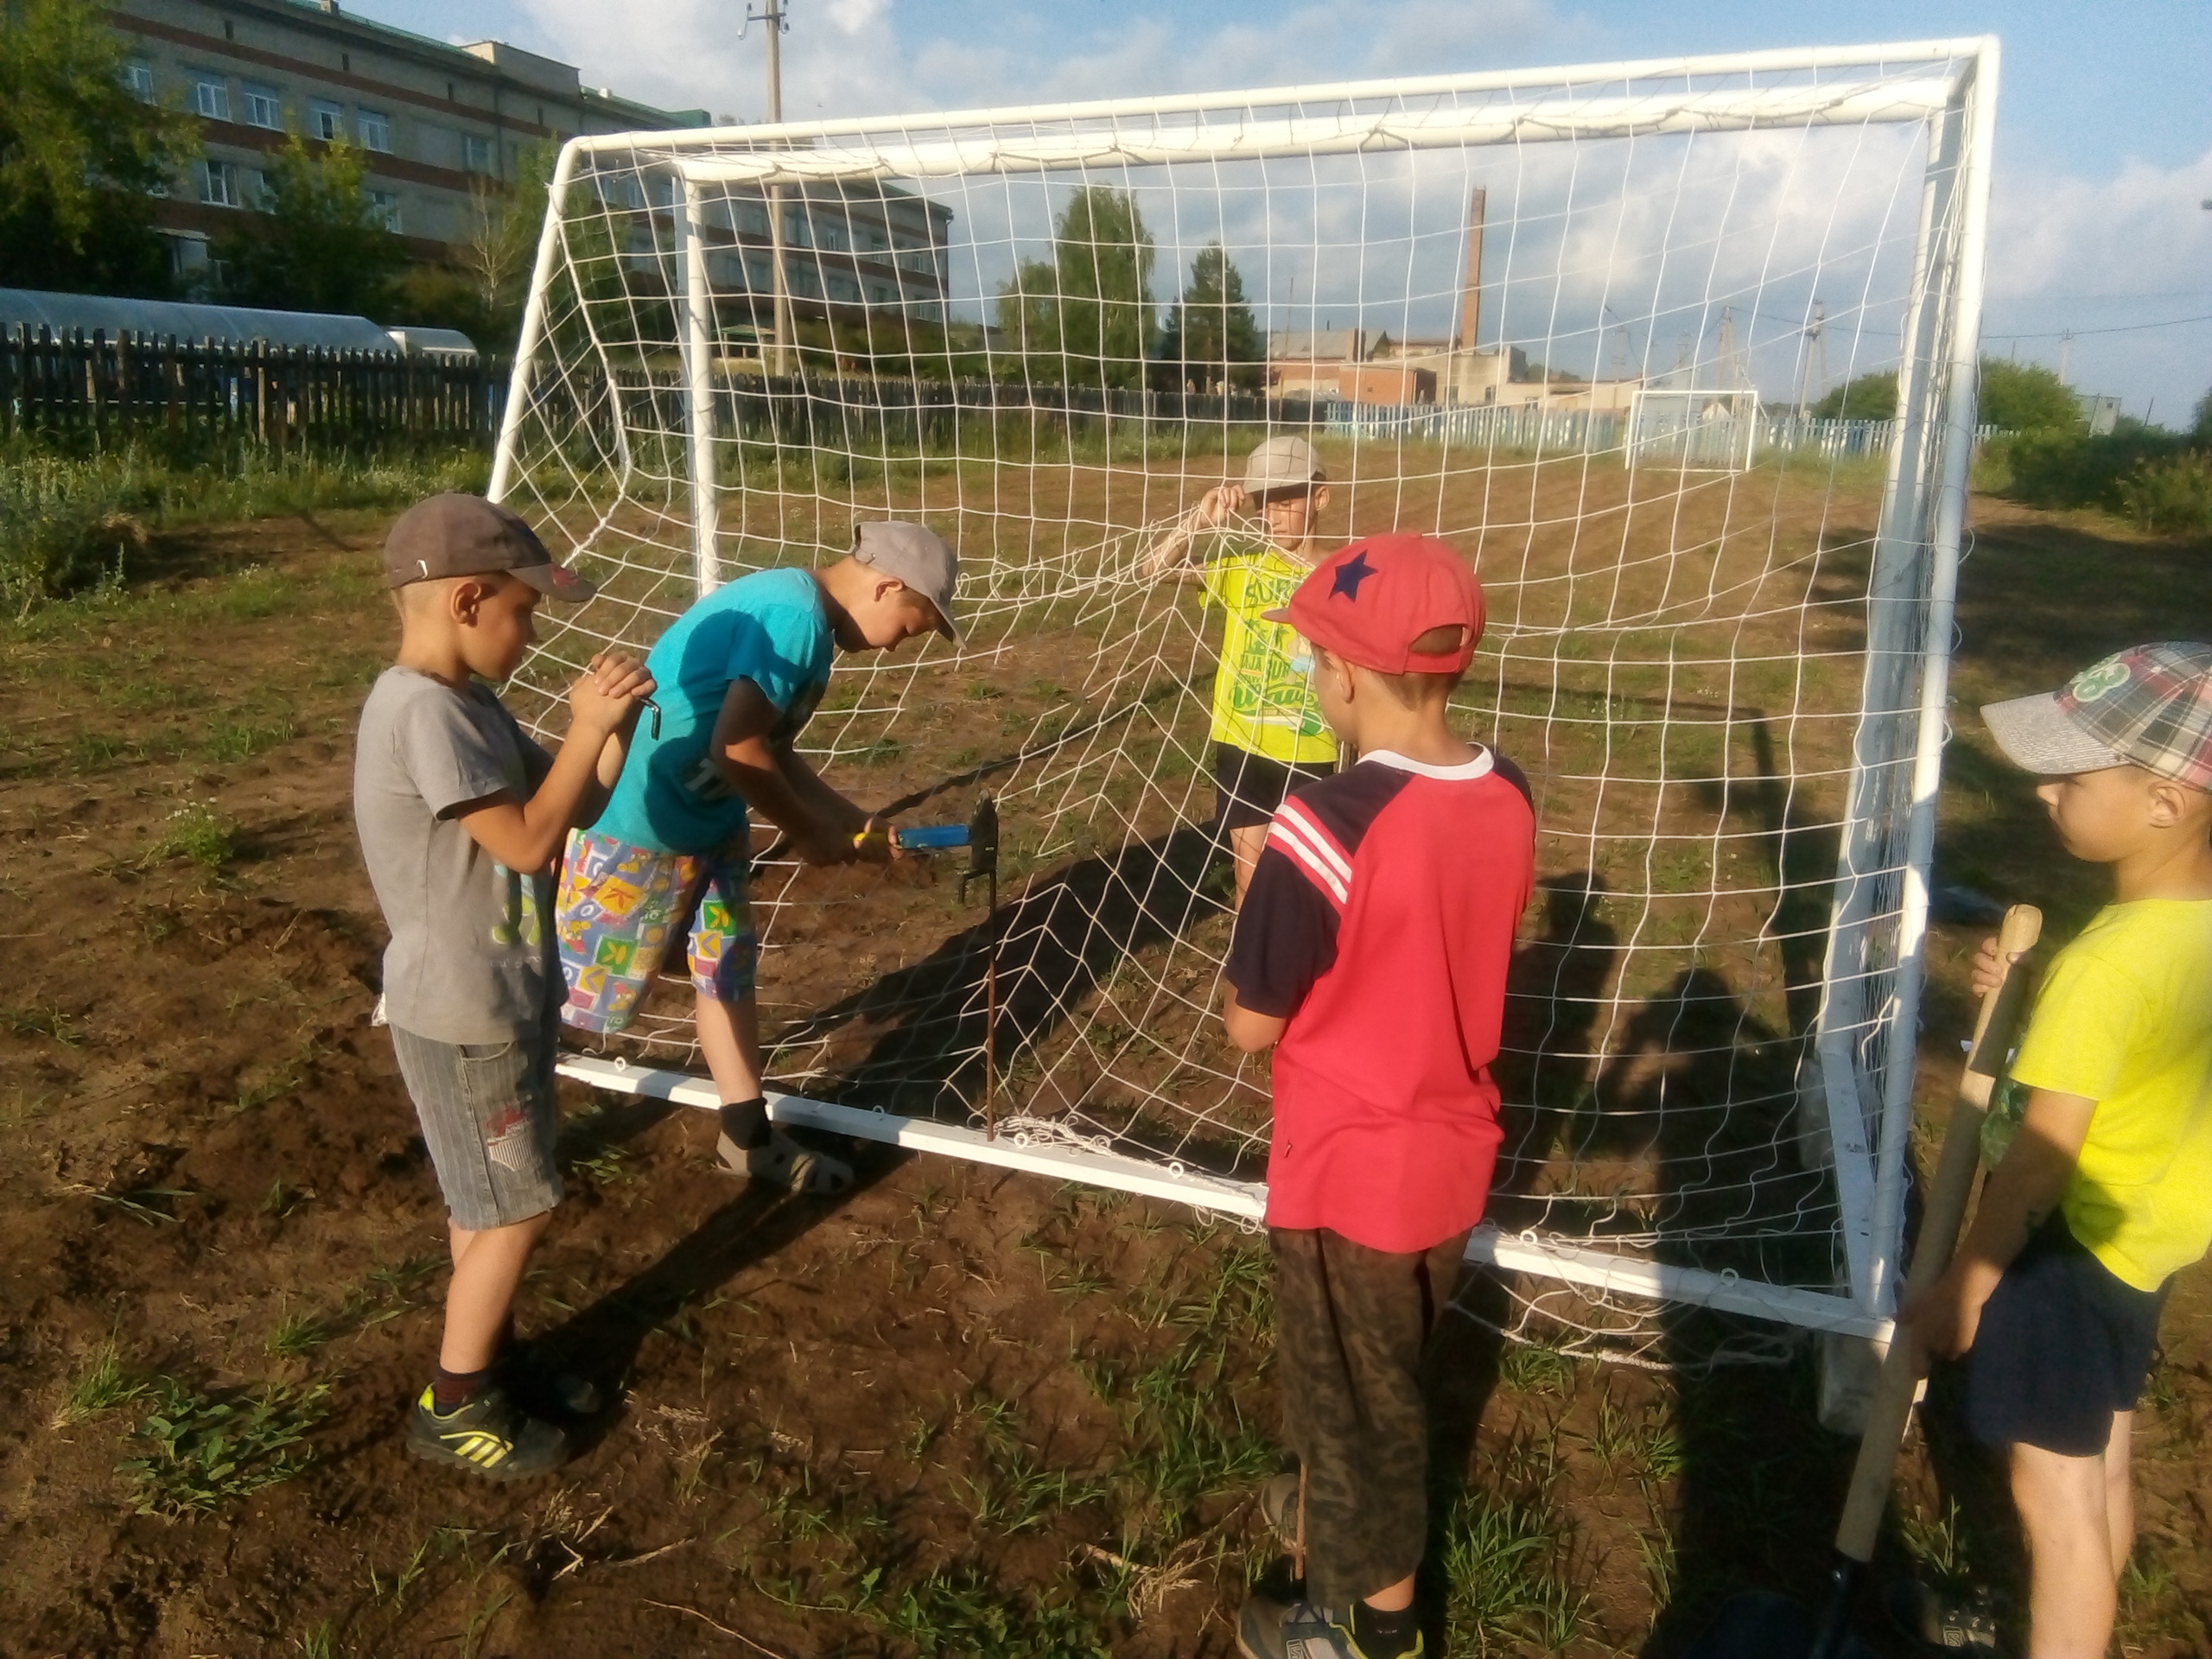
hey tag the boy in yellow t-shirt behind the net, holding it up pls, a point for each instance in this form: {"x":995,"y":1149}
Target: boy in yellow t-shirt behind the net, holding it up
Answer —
{"x":1269,"y":733}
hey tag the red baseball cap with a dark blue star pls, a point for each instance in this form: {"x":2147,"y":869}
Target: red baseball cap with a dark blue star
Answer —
{"x":1373,"y":601}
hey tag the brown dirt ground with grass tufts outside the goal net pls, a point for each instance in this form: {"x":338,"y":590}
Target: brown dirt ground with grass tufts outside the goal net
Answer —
{"x":950,"y":1415}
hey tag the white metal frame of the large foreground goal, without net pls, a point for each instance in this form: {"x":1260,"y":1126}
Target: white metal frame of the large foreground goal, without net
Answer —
{"x":1857,"y":1096}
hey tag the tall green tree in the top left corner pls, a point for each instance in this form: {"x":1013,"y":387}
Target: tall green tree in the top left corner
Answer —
{"x":81,"y":156}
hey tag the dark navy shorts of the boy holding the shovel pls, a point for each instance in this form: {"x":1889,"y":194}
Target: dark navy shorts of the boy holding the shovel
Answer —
{"x":2063,"y":1346}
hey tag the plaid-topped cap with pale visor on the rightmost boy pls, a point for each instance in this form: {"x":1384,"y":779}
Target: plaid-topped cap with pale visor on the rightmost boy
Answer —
{"x":2145,"y":707}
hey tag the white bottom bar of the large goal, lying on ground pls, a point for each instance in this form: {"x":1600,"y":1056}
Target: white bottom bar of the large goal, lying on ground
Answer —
{"x":1249,"y":1200}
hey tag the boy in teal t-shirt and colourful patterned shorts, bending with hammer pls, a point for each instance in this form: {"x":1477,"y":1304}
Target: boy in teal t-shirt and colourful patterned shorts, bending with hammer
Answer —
{"x":669,"y":862}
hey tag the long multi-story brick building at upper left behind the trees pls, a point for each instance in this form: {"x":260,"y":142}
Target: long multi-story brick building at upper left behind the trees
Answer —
{"x":444,"y":125}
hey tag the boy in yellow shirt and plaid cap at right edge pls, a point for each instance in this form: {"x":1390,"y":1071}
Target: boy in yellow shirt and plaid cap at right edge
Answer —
{"x":2107,"y":1189}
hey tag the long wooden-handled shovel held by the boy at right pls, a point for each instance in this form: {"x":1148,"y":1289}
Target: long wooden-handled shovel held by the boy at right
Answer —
{"x":1773,"y":1627}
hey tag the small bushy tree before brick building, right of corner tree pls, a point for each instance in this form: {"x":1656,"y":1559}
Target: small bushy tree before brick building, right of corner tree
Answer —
{"x":317,"y":244}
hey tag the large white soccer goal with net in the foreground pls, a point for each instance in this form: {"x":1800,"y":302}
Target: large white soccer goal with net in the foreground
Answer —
{"x":1050,"y":331}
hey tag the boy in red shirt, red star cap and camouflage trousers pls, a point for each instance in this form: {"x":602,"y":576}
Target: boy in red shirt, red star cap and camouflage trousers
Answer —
{"x":1373,"y":957}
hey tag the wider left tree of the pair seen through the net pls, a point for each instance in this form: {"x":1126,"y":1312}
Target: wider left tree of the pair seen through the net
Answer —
{"x":1087,"y":317}
